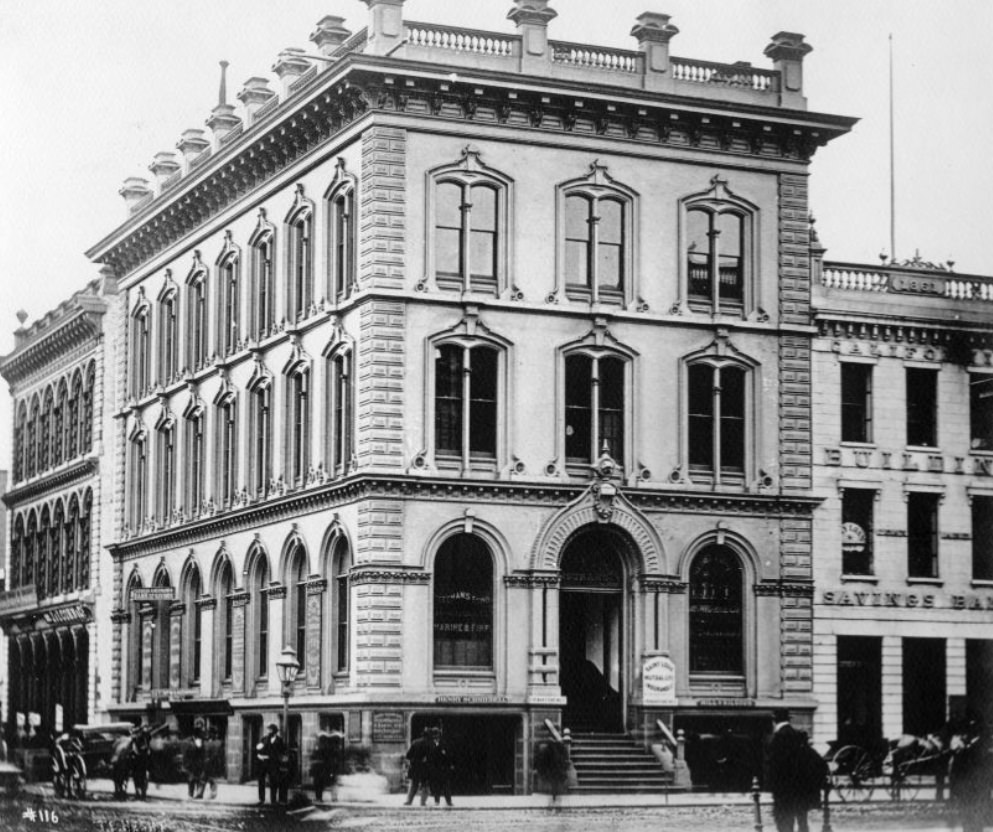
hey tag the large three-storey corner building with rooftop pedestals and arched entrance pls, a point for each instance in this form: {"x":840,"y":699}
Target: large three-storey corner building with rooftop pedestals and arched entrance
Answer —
{"x":474,"y":367}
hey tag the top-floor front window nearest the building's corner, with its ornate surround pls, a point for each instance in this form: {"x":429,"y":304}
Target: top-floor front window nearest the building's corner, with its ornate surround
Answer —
{"x":469,"y":209}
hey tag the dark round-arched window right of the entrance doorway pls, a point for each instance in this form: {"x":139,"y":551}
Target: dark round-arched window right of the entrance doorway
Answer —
{"x":716,"y":633}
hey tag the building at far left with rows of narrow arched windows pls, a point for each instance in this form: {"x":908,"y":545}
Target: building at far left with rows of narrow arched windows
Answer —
{"x":52,"y":601}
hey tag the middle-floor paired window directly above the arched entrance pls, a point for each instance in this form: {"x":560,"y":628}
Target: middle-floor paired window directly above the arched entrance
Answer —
{"x":595,"y":407}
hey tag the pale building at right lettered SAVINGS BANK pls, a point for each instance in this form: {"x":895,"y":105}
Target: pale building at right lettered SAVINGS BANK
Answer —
{"x":903,"y":416}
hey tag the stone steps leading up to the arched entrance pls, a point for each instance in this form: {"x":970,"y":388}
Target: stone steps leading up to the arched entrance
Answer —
{"x":615,"y":763}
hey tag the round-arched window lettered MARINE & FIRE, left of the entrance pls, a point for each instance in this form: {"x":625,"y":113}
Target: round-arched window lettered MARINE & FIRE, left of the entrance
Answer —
{"x":463,"y":603}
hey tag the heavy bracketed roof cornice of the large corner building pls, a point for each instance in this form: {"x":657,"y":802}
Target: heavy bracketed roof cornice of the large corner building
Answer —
{"x":359,"y":84}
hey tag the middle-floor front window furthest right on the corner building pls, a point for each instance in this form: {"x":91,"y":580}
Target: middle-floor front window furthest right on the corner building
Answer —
{"x":716,"y":429}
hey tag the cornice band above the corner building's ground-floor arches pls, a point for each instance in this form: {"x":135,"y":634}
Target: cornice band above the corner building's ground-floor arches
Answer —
{"x":320,"y":497}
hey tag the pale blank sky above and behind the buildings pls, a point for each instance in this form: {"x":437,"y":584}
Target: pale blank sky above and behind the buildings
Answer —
{"x":91,"y":91}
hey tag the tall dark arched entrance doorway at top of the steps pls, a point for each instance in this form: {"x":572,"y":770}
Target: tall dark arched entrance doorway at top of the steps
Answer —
{"x":591,"y":631}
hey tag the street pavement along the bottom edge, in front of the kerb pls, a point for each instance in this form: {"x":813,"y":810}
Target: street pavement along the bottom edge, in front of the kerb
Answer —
{"x":103,"y":815}
